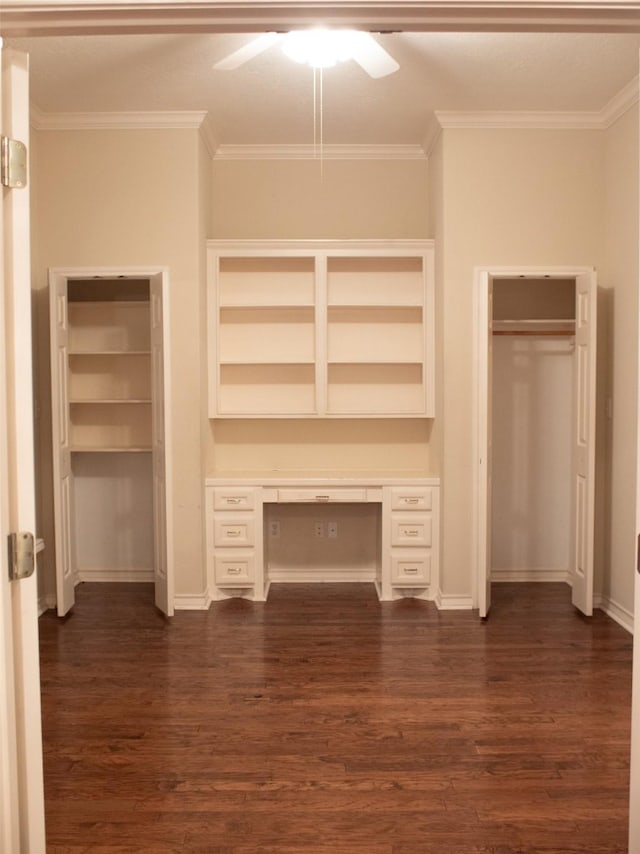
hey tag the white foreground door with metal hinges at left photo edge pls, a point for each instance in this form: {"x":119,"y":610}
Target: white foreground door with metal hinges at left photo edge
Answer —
{"x":21,"y":780}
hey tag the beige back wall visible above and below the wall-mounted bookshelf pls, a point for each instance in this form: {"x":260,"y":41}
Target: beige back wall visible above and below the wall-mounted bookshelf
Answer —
{"x":297,"y":199}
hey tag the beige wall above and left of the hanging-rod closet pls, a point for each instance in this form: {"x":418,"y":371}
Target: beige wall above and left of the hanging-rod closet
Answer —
{"x":511,"y":197}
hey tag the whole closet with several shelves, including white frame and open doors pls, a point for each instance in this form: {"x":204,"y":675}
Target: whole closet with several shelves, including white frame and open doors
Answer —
{"x":110,"y":396}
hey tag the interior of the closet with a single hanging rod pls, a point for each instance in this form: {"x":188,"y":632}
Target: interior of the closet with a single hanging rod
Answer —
{"x":533,"y":330}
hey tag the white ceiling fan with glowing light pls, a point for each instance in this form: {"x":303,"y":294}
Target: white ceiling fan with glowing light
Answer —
{"x":319,"y":48}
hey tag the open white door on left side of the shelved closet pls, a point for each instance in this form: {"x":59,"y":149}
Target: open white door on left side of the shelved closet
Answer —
{"x":62,"y":479}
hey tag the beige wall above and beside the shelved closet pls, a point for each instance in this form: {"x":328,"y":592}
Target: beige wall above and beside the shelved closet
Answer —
{"x":126,"y":198}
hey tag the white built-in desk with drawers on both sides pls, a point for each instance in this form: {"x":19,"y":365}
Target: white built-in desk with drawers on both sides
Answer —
{"x":278,"y":527}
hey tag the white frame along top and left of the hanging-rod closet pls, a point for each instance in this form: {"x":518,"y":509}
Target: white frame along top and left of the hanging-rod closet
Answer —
{"x":480,"y":517}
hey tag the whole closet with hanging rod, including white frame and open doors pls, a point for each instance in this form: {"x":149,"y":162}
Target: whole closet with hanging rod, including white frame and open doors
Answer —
{"x":535,"y":429}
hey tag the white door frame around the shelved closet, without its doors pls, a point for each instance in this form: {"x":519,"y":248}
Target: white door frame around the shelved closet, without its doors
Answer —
{"x":162,"y":273}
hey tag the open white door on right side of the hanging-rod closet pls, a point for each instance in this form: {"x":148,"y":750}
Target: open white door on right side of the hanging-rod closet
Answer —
{"x":584,"y":443}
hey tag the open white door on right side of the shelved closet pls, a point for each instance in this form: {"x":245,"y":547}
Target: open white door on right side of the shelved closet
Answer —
{"x":161,"y":440}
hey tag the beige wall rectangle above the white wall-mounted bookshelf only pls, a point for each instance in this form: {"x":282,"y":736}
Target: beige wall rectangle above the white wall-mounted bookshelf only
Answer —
{"x":297,"y":199}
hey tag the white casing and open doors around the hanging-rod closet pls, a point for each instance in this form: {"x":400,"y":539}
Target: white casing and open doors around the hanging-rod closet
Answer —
{"x":584,"y":409}
